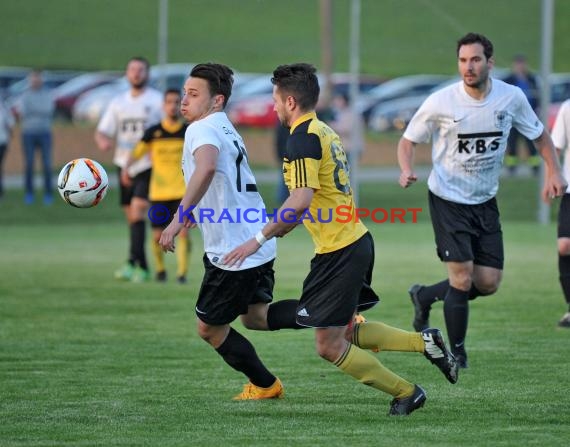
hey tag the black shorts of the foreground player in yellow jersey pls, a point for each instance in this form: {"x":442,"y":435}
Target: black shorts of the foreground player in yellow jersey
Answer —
{"x":338,"y":285}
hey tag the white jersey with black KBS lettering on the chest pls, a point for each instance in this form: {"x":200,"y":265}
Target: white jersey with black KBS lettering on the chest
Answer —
{"x":469,"y":138}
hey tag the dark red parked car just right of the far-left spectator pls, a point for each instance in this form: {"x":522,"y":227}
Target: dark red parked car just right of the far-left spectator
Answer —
{"x":67,"y":93}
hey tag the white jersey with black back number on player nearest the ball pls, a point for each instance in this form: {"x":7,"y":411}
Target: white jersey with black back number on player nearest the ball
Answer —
{"x":222,"y":214}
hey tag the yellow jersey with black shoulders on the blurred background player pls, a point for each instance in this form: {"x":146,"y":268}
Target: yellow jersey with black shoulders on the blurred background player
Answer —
{"x":164,"y":142}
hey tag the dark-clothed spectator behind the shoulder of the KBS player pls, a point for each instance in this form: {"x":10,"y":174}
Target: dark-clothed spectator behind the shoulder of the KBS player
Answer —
{"x":522,"y":77}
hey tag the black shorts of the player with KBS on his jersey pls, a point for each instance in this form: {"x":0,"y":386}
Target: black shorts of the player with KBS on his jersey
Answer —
{"x":467,"y":232}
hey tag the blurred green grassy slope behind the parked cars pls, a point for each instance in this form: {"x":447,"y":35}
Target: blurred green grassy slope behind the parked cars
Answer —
{"x":398,"y":36}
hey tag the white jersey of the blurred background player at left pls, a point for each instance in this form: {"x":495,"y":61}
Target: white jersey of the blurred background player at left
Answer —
{"x":126,"y":118}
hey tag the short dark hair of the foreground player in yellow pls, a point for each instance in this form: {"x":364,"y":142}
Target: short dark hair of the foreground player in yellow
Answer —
{"x":300,"y":81}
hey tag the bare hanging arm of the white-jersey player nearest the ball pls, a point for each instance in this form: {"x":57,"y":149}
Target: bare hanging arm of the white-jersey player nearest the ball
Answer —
{"x":206,"y":158}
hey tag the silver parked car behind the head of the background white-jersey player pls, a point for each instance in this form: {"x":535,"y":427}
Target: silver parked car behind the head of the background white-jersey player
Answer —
{"x":90,"y":106}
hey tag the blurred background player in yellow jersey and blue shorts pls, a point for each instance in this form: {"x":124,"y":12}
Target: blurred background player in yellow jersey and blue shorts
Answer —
{"x":165,"y":141}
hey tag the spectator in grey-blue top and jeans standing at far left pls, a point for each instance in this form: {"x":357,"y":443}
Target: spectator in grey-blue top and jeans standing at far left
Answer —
{"x":35,"y":110}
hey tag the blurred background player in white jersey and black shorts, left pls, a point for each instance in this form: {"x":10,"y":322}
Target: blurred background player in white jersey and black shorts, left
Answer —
{"x":125,"y":120}
